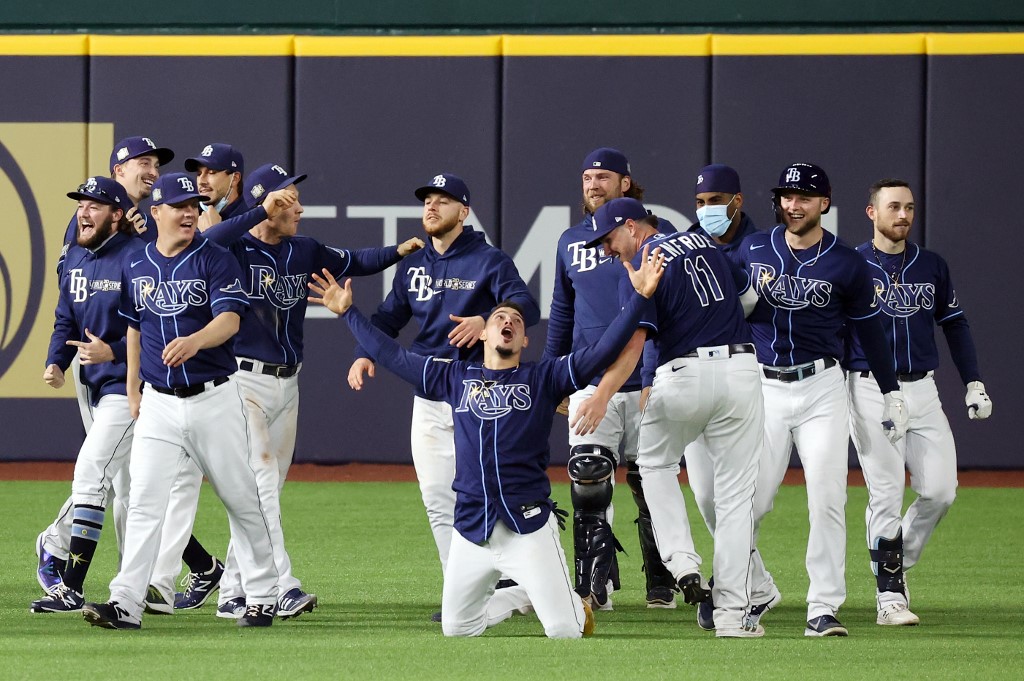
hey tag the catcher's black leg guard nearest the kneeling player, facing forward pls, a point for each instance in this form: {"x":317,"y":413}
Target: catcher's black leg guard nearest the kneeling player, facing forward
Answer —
{"x":591,"y":469}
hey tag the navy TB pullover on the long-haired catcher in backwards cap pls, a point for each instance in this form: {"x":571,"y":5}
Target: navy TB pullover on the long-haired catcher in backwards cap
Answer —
{"x":583,"y":301}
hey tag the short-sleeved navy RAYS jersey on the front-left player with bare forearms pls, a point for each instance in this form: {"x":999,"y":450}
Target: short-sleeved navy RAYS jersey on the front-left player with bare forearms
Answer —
{"x":166,"y":299}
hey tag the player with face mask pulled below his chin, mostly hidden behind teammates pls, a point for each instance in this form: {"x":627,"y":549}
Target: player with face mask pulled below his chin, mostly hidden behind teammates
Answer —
{"x":219,"y":169}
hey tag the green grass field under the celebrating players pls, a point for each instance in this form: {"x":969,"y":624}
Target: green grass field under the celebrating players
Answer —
{"x":366,"y":550}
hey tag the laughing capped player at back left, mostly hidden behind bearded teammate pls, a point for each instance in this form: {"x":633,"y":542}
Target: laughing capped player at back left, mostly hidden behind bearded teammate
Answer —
{"x":135,"y":165}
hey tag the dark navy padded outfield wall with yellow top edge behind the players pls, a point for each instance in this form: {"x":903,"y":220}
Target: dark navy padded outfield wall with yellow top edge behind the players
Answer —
{"x":371,"y":118}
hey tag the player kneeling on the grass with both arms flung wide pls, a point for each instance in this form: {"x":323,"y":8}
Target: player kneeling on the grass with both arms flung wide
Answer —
{"x":503,"y":410}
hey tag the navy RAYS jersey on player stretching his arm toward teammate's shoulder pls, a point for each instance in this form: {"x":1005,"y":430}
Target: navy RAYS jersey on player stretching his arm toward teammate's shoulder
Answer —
{"x":275,"y":279}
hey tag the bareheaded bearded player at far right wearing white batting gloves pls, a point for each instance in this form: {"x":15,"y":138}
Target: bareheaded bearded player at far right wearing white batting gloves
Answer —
{"x":914,"y":291}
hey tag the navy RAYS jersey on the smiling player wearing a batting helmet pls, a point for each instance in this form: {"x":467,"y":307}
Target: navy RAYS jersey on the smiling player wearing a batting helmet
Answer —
{"x":802,"y":307}
